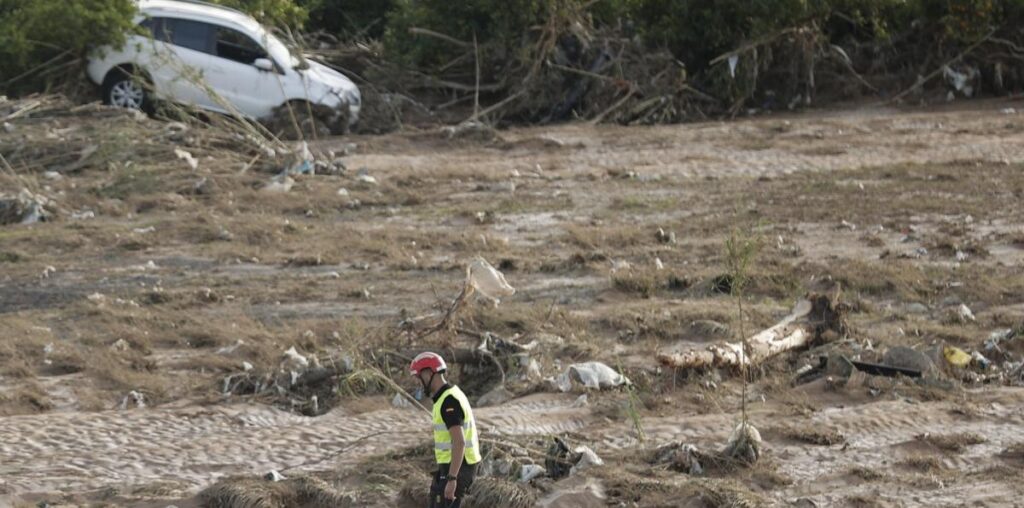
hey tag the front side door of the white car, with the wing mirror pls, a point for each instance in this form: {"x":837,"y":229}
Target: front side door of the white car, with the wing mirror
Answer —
{"x":253,"y":92}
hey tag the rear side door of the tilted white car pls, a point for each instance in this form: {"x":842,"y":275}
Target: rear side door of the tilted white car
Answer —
{"x":185,"y":68}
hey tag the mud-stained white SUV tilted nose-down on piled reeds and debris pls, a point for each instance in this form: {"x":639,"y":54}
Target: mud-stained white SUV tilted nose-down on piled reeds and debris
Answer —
{"x":220,"y":60}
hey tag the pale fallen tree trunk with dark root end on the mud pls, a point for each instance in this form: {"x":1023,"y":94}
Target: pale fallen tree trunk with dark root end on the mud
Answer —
{"x":808,"y":322}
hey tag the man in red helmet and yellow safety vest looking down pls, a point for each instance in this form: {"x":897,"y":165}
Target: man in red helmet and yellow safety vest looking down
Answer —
{"x":457,"y":449}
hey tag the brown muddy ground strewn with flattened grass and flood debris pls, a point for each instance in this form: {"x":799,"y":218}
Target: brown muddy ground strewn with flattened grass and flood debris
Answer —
{"x":183,"y":278}
